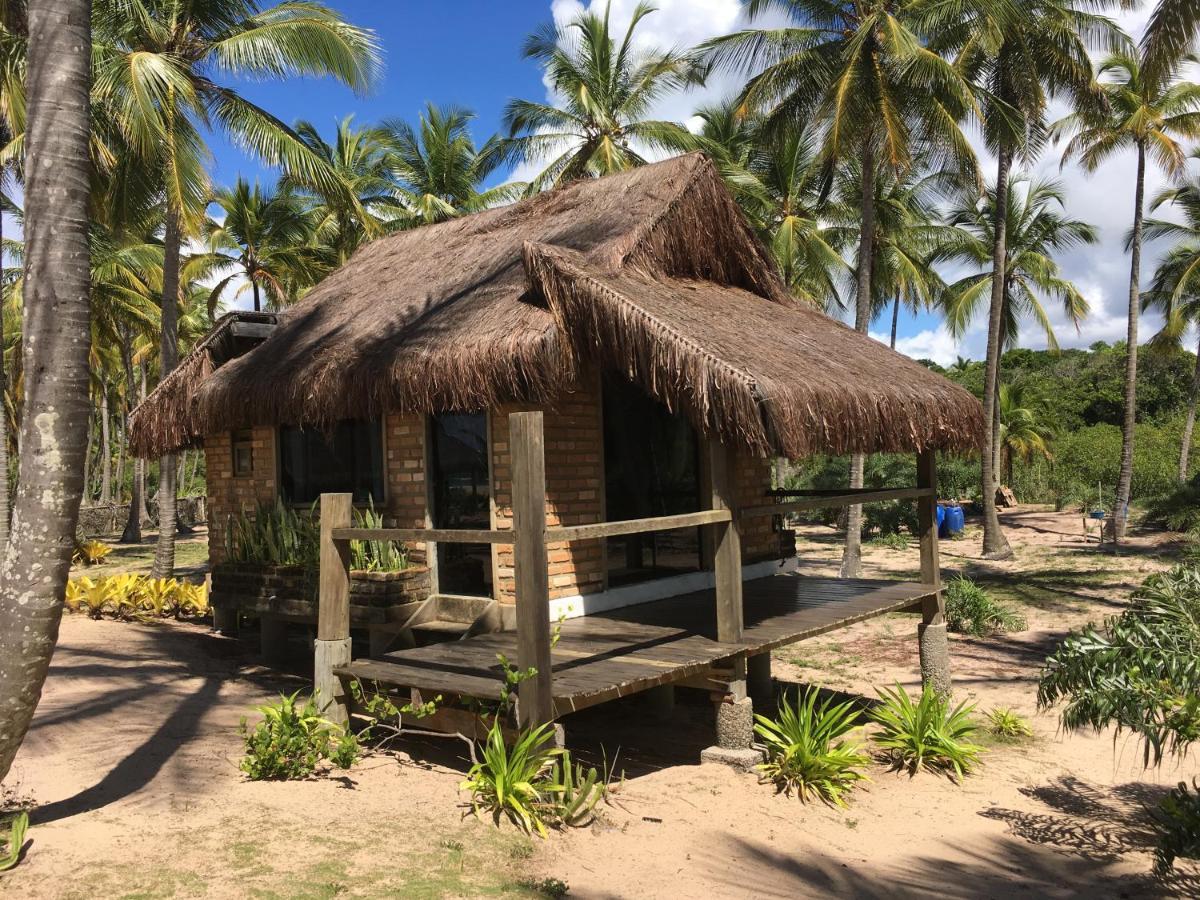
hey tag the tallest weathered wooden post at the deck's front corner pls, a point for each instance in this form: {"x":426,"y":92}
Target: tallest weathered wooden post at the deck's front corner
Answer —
{"x":527,"y":447}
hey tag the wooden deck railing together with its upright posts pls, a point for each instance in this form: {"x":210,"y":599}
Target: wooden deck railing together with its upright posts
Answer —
{"x":530,"y":537}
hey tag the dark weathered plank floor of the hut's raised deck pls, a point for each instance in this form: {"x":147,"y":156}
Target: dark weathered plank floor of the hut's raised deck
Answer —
{"x":609,"y":656}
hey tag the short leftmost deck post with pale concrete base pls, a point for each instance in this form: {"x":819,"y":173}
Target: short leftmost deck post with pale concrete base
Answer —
{"x":333,"y":645}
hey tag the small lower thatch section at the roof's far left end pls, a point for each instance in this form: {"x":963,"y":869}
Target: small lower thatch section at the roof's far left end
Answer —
{"x":170,"y":424}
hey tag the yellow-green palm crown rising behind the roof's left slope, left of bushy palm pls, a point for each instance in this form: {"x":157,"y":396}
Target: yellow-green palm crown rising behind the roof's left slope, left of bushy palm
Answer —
{"x":358,"y":205}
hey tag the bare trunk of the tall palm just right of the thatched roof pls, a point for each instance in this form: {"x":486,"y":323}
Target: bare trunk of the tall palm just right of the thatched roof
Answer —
{"x":995,"y":545}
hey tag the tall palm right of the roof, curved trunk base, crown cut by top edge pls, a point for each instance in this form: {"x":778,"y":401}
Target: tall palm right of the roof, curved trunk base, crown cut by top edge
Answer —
{"x":1021,"y":57}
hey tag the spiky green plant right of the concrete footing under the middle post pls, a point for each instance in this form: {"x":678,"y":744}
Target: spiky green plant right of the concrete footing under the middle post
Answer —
{"x":807,"y":752}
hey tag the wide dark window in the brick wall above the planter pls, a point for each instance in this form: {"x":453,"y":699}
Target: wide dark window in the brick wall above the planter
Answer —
{"x":347,"y":460}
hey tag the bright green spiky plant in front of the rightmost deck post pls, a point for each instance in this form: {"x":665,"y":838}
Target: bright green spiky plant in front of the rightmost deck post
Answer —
{"x":927,"y":735}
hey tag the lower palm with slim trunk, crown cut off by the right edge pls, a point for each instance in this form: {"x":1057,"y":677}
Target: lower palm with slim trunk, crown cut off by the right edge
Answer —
{"x":1175,"y":290}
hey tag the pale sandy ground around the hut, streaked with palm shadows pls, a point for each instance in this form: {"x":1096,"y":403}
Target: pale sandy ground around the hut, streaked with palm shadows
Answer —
{"x":134,"y":765}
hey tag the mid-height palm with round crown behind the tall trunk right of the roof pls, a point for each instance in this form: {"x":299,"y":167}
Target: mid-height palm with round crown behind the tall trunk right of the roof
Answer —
{"x":1036,"y":230}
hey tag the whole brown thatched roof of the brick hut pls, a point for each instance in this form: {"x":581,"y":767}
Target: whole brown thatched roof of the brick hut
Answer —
{"x":653,"y":273}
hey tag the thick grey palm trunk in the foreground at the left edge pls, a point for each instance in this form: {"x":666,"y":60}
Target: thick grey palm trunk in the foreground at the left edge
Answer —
{"x":37,"y":563}
